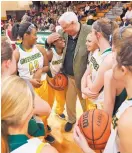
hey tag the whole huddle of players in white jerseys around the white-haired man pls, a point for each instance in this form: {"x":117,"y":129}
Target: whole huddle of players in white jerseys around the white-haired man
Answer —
{"x":91,"y":62}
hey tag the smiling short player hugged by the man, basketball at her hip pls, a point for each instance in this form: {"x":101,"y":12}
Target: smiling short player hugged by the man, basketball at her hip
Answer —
{"x":55,"y":67}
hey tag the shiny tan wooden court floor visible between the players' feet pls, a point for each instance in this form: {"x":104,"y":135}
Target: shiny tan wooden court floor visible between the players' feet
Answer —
{"x":64,"y":140}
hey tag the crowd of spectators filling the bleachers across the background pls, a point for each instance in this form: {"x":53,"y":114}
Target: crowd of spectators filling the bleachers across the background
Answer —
{"x":46,"y":16}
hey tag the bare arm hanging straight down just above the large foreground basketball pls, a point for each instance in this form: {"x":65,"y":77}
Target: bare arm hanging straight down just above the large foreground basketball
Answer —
{"x":109,"y":92}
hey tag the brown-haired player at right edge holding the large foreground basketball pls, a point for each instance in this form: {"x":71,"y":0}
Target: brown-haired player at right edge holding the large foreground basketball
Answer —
{"x":120,"y":138}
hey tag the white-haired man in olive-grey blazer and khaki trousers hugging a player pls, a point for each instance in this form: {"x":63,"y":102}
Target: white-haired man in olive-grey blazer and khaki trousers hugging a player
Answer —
{"x":75,"y":58}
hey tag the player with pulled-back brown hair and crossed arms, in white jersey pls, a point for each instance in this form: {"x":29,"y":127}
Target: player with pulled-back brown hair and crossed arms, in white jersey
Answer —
{"x":100,"y":62}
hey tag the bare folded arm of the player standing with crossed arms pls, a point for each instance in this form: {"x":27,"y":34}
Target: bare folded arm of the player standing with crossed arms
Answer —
{"x":95,"y":86}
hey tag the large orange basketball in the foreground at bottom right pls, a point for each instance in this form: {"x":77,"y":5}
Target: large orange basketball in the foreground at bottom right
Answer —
{"x":96,"y":127}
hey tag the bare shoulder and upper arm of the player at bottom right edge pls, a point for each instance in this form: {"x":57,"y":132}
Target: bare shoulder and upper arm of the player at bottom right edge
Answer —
{"x":125,"y":131}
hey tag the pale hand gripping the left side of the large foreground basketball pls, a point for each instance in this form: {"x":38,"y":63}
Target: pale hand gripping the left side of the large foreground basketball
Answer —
{"x":81,"y":141}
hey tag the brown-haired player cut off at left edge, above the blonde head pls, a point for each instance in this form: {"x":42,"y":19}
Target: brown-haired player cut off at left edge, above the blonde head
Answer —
{"x":8,"y":67}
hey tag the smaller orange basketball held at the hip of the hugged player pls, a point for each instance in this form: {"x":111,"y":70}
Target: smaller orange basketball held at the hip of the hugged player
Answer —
{"x":61,"y":80}
